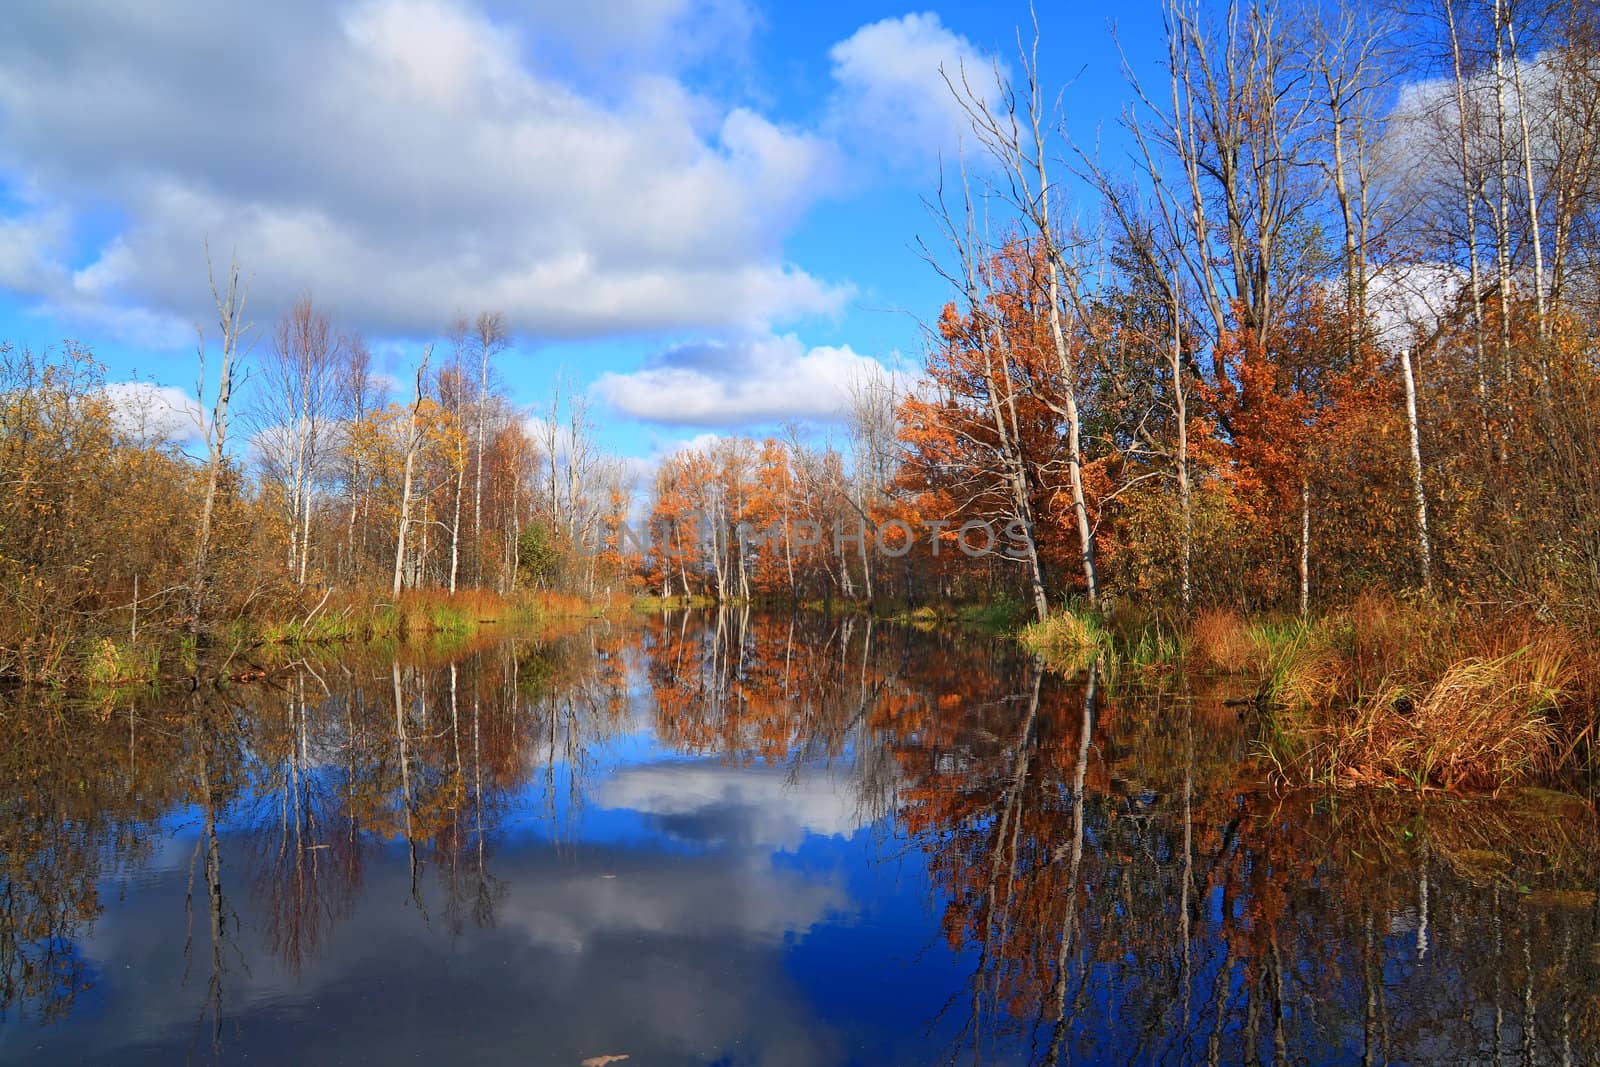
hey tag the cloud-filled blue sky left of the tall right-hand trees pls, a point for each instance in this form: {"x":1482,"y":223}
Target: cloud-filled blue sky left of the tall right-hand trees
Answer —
{"x":700,"y":212}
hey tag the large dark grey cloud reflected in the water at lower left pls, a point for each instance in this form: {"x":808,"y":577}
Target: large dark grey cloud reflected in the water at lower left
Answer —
{"x":578,"y":932}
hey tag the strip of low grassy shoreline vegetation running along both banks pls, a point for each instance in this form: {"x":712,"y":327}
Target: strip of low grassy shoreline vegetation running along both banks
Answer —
{"x":1415,"y":695}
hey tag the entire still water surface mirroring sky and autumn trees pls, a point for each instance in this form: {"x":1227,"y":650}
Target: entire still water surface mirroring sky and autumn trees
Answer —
{"x":754,"y":839}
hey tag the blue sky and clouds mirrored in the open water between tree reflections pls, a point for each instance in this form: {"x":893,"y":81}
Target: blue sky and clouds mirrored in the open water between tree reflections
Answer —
{"x":690,"y":913}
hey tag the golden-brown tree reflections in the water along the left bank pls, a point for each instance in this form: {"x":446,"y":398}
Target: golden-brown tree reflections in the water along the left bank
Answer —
{"x":308,"y":773}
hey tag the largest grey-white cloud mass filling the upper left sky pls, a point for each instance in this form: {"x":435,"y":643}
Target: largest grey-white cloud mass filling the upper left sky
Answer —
{"x":398,"y":158}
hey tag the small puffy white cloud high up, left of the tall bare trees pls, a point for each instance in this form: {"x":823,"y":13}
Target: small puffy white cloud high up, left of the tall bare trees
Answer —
{"x":890,"y":94}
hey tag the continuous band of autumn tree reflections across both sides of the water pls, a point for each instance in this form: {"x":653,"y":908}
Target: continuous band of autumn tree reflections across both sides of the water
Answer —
{"x":1106,"y":858}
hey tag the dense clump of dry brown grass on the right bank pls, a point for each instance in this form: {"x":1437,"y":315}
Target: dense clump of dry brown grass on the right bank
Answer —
{"x":1426,"y":695}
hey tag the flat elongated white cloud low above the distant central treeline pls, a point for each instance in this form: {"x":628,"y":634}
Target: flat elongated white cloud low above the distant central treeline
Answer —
{"x":729,"y":383}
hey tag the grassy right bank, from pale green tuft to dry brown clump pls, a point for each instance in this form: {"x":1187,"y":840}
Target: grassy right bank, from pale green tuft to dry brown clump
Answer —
{"x":1385,"y":692}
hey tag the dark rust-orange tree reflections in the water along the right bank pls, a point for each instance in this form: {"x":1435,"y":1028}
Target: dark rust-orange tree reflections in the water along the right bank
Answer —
{"x":1124,"y":884}
